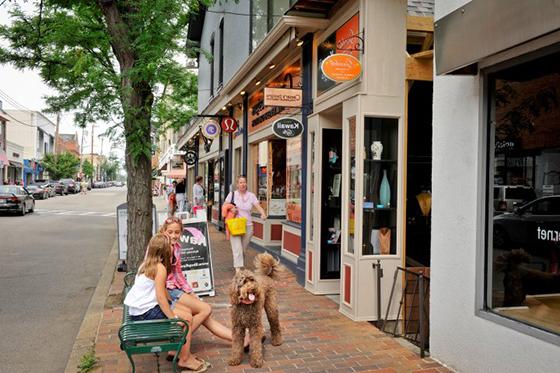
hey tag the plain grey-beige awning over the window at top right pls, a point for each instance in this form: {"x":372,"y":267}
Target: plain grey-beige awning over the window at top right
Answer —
{"x":462,"y":36}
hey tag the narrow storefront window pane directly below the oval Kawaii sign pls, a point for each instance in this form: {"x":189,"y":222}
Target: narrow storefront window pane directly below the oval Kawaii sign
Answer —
{"x":293,"y":175}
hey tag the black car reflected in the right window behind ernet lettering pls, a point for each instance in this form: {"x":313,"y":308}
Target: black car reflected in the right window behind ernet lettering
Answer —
{"x":533,"y":226}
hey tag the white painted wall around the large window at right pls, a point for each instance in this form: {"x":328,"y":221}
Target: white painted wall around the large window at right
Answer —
{"x":459,"y":338}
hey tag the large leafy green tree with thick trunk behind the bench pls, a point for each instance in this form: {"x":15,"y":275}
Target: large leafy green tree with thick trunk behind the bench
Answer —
{"x":112,"y":60}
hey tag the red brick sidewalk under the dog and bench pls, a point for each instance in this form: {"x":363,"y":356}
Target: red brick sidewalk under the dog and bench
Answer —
{"x":317,"y":338}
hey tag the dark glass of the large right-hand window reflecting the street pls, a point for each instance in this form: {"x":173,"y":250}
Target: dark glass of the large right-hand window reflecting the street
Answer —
{"x":523,"y":279}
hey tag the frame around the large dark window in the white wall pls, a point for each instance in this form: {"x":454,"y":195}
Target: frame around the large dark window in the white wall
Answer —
{"x":485,"y":184}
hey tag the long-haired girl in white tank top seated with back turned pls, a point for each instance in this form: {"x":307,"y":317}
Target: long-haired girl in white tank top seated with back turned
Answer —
{"x":148,"y":297}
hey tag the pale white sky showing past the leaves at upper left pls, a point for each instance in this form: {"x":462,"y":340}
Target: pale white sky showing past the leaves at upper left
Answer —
{"x":26,"y":89}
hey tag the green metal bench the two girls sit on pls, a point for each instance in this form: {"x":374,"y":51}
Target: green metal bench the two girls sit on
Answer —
{"x":151,"y":336}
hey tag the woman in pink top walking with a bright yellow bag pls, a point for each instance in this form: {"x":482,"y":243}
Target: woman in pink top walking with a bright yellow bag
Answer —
{"x":239,"y":203}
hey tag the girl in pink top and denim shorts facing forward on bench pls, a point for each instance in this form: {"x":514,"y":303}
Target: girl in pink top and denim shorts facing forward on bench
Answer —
{"x":181,"y":291}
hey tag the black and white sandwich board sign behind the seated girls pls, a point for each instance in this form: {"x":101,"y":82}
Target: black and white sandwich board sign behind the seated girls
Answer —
{"x":196,"y":256}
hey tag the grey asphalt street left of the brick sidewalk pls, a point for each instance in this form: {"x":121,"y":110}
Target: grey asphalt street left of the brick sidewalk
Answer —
{"x":51,"y":263}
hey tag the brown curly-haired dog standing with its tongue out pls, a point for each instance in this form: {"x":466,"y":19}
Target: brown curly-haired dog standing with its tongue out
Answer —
{"x":250,"y":292}
